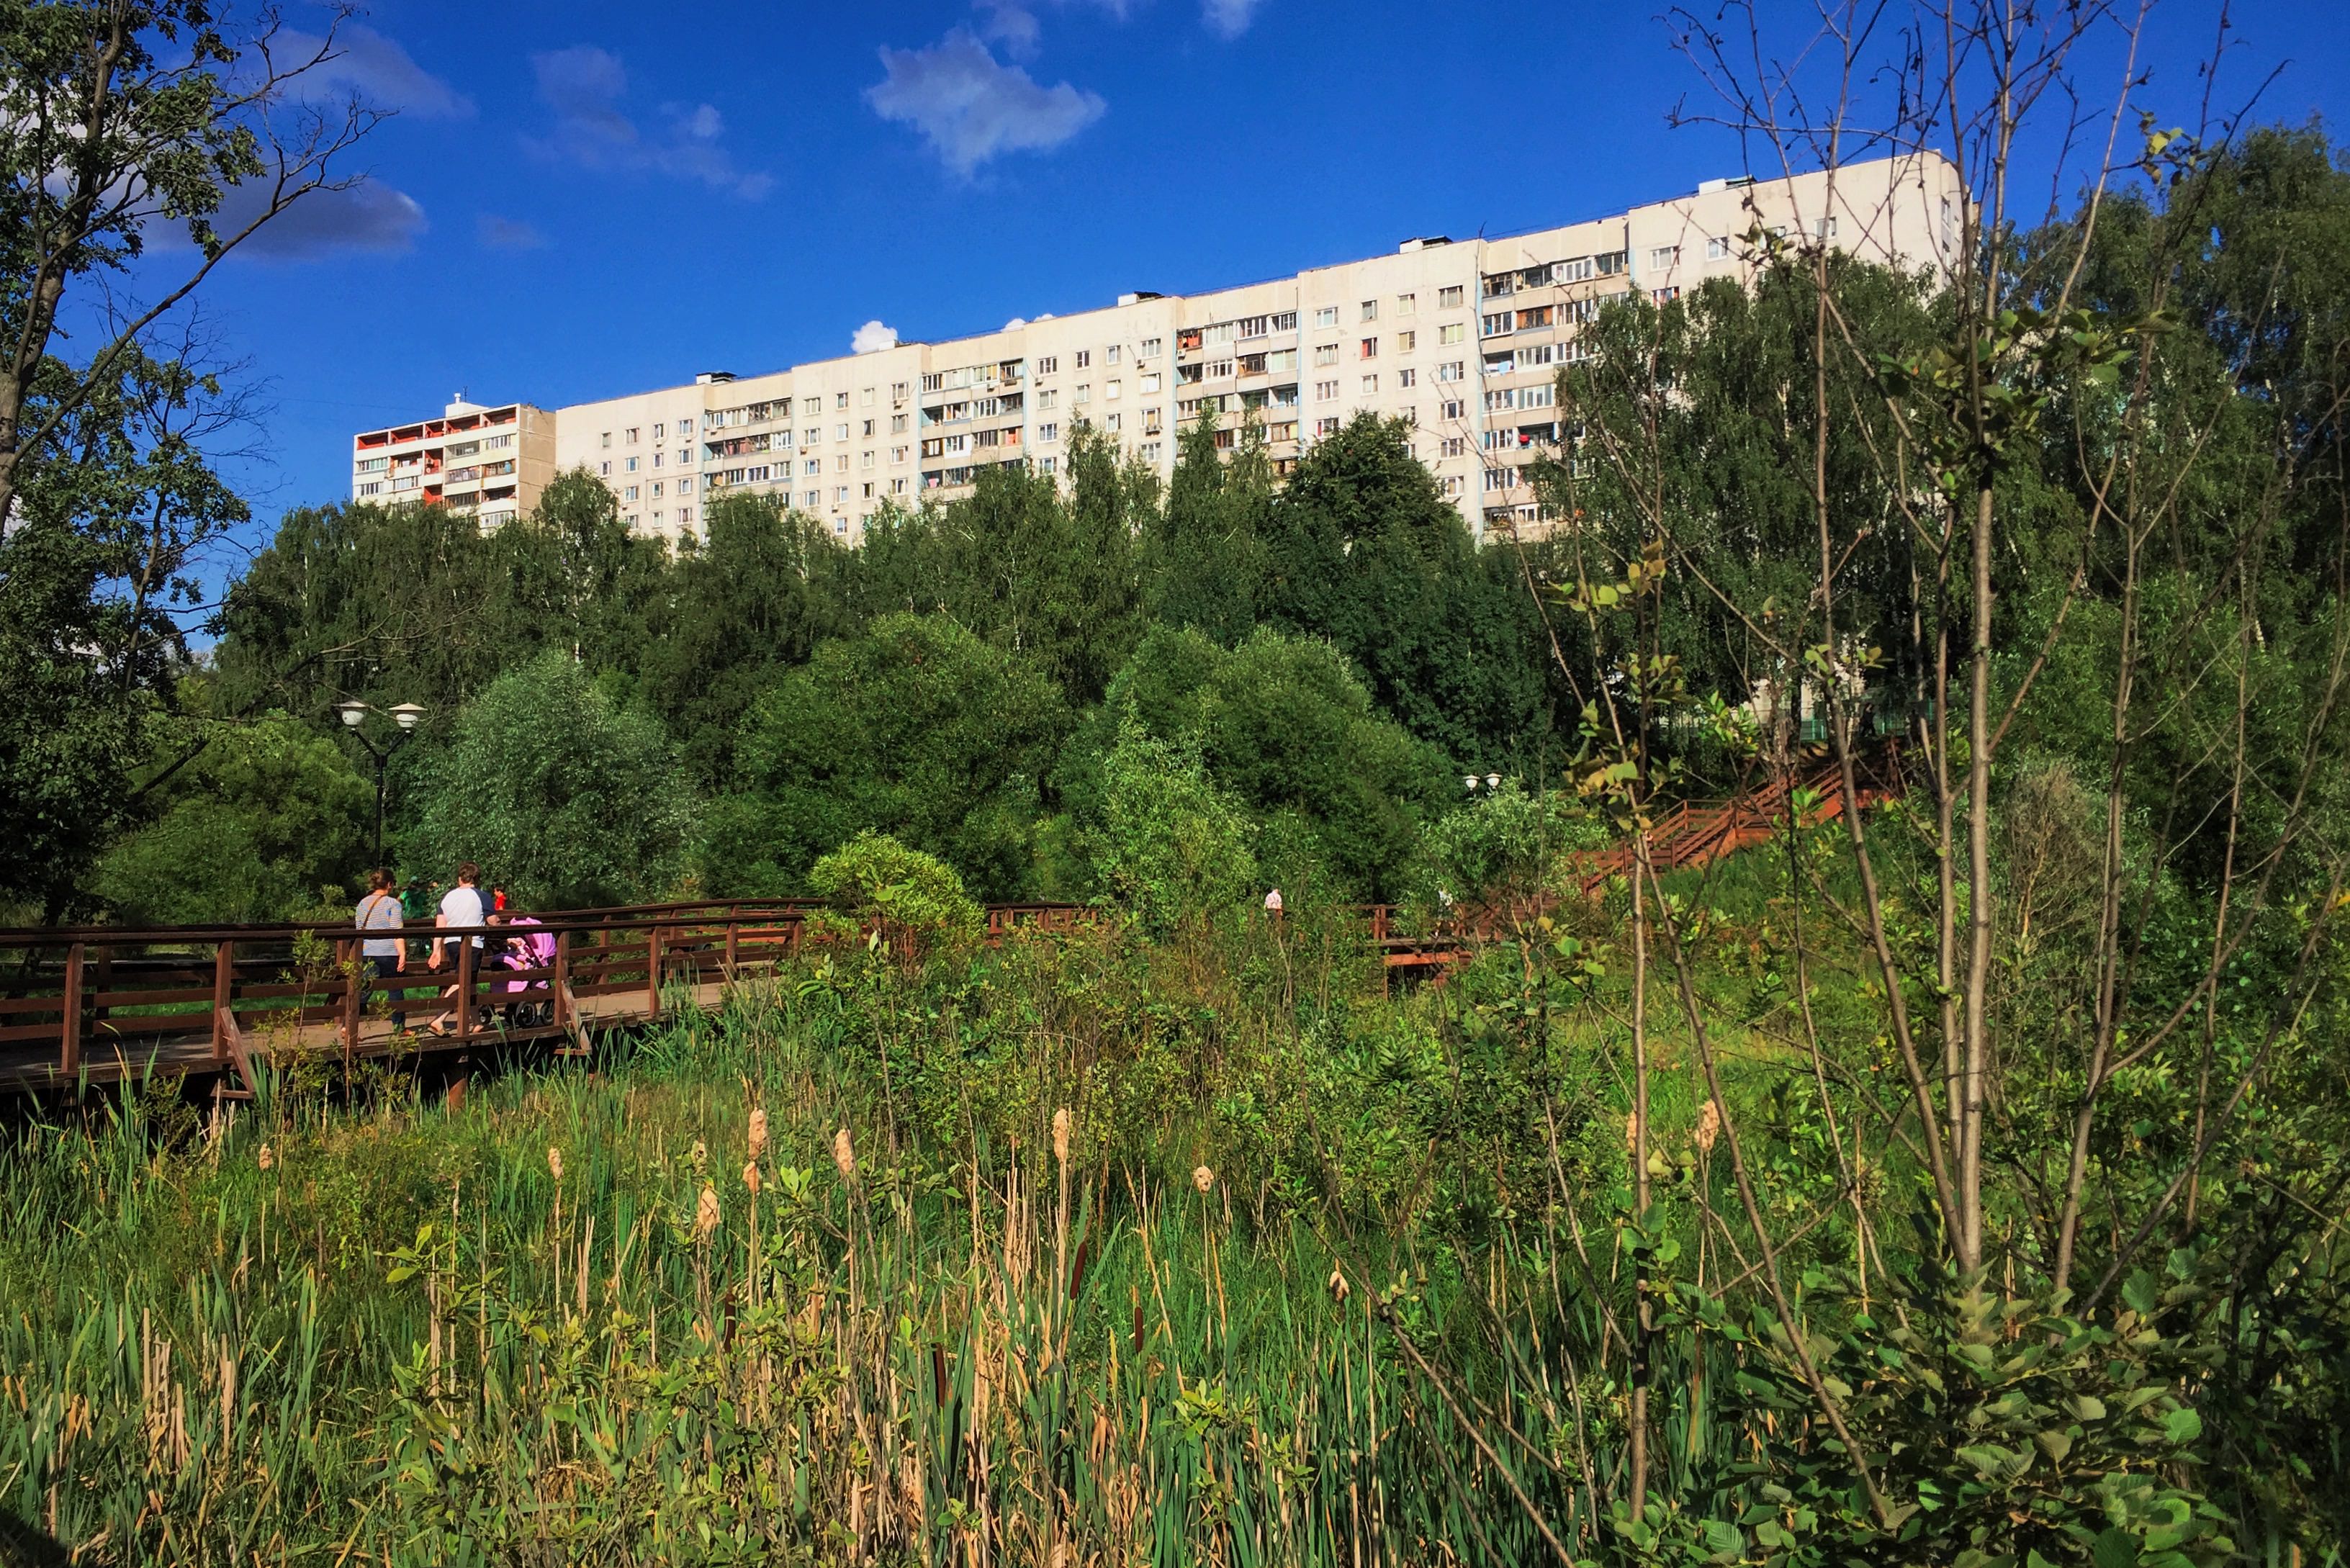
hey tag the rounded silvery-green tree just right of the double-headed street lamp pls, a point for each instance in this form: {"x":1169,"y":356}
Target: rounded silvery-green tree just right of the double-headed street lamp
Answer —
{"x":556,"y":791}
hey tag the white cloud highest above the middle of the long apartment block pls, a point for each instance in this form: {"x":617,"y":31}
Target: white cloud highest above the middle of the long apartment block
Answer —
{"x":972,"y":107}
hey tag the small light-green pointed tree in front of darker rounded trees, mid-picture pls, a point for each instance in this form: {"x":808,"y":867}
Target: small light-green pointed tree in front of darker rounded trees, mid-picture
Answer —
{"x":1174,"y":847}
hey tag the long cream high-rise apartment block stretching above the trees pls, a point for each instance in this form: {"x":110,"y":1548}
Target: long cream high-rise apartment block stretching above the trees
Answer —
{"x":1463,"y":340}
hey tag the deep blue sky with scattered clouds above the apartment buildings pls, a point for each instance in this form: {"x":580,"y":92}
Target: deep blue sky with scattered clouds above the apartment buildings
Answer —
{"x":589,"y":199}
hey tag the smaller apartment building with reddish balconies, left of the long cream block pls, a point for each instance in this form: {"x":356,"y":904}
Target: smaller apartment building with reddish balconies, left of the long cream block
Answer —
{"x":488,"y":462}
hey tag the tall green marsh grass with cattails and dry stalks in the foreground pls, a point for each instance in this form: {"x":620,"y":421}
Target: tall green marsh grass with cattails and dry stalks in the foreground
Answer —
{"x":584,"y":1315}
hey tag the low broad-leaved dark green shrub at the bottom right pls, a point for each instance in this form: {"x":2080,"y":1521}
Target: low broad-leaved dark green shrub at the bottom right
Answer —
{"x":1996,"y":1435}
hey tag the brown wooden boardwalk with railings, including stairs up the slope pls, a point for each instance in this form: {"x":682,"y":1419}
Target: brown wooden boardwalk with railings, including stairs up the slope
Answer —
{"x":102,"y":1005}
